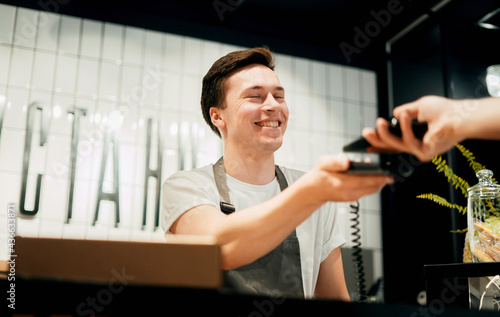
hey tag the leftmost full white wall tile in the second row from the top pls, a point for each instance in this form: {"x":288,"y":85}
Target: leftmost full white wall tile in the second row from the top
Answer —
{"x":20,"y":67}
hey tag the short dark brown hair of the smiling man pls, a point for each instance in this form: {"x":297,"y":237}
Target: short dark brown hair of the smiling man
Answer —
{"x":214,"y":83}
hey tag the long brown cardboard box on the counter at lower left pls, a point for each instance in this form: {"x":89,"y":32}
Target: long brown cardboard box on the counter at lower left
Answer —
{"x":182,"y":261}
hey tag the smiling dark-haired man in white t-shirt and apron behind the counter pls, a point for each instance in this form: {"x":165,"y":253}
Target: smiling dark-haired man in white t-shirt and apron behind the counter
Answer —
{"x":276,"y":226}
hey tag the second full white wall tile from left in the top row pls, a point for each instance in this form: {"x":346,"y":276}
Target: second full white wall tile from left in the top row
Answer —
{"x":48,"y":31}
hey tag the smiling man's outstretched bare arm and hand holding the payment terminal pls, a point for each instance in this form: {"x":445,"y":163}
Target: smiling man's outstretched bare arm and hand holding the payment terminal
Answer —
{"x":250,"y":233}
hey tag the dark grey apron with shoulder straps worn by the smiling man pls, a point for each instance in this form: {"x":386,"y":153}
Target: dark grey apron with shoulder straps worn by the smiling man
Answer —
{"x":277,"y":273}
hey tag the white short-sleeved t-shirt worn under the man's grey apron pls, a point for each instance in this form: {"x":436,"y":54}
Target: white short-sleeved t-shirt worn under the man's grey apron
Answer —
{"x":318,"y":235}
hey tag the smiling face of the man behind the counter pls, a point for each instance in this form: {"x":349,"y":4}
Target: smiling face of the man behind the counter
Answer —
{"x":256,"y":113}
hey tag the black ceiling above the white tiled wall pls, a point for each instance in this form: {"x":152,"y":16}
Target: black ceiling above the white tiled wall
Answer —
{"x":309,"y":28}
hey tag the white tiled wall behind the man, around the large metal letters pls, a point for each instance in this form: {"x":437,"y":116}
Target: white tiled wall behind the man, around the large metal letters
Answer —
{"x":126,"y":75}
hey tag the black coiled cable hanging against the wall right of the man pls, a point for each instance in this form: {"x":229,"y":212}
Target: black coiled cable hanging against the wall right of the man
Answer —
{"x":357,"y":257}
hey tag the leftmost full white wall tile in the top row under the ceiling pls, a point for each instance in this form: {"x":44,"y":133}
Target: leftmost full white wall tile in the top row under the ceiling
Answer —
{"x":26,"y":27}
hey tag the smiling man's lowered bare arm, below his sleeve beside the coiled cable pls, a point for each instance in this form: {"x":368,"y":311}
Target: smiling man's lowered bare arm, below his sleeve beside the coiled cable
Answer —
{"x":331,"y":281}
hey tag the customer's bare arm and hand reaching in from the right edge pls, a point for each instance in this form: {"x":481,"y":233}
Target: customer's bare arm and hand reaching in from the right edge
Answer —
{"x":449,"y":122}
